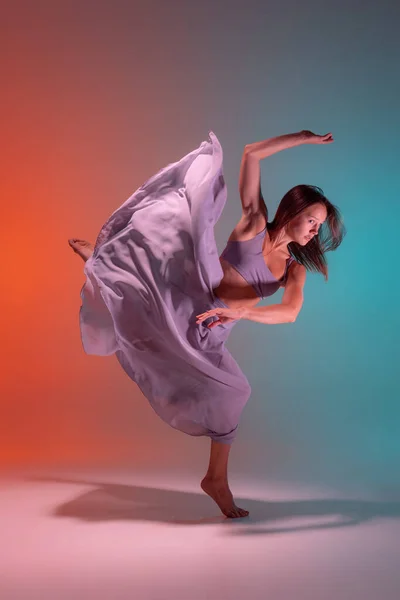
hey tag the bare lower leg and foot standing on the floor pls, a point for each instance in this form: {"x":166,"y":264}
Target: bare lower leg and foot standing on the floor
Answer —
{"x":215,"y":483}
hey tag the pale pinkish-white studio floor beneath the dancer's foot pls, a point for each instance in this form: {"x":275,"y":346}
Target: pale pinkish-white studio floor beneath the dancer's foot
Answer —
{"x":119,"y":535}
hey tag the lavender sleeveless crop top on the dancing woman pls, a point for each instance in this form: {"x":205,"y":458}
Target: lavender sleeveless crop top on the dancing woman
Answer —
{"x":247,"y":259}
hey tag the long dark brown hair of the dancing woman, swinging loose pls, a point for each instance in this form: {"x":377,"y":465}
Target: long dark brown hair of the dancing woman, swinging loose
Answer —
{"x":330,"y":234}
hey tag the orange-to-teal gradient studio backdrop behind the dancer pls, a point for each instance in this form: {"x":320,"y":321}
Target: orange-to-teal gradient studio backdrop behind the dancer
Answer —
{"x":98,"y":96}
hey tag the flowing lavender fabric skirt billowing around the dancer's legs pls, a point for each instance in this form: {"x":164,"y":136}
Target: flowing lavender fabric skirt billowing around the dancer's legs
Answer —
{"x":154,"y":267}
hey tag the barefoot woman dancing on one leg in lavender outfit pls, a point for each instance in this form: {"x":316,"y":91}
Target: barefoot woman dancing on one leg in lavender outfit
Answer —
{"x":158,"y":295}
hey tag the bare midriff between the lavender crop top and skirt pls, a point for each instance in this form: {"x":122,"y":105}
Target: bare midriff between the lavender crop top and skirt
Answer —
{"x":234,"y":290}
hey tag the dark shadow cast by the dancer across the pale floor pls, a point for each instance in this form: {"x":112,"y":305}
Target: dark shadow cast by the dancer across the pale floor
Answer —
{"x":117,"y":502}
